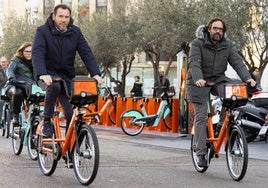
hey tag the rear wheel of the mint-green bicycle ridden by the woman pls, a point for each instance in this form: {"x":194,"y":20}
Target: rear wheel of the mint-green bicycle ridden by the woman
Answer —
{"x":17,"y":140}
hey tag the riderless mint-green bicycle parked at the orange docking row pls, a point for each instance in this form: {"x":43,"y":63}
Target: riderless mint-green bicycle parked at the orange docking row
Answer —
{"x":133,"y":121}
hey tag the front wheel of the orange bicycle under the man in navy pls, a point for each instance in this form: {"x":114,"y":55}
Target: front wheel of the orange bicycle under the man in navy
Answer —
{"x":91,"y":138}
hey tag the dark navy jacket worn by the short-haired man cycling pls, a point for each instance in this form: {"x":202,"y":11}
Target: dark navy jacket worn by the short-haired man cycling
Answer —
{"x":53,"y":52}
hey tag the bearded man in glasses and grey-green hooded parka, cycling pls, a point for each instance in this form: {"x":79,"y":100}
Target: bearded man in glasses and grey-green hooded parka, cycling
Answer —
{"x":209,"y":55}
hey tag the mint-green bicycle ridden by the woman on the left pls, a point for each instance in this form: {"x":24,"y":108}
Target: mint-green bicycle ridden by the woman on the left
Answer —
{"x":29,"y":118}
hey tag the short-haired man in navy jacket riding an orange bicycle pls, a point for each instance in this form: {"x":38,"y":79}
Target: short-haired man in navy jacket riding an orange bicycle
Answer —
{"x":54,"y":48}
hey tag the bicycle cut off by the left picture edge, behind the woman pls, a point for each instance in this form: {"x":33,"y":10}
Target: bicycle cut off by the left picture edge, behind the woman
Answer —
{"x":6,"y":116}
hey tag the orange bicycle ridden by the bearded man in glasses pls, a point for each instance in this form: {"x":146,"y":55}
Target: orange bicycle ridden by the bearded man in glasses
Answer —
{"x":235,"y":143}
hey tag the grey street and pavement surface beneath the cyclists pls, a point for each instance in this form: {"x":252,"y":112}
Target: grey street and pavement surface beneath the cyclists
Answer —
{"x":149,"y":160}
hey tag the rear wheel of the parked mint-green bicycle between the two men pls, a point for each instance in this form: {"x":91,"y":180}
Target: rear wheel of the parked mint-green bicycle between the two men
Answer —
{"x":128,"y":125}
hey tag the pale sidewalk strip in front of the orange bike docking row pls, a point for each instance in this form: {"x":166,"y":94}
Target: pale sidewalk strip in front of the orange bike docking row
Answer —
{"x":257,"y":150}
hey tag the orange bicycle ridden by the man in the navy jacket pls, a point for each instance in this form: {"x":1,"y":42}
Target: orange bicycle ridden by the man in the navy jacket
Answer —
{"x":80,"y":144}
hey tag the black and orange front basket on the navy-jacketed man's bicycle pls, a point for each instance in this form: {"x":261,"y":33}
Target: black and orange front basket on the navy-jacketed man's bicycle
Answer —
{"x":84,"y":90}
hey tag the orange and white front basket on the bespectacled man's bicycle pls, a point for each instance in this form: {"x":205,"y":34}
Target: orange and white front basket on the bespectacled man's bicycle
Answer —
{"x":235,"y":95}
